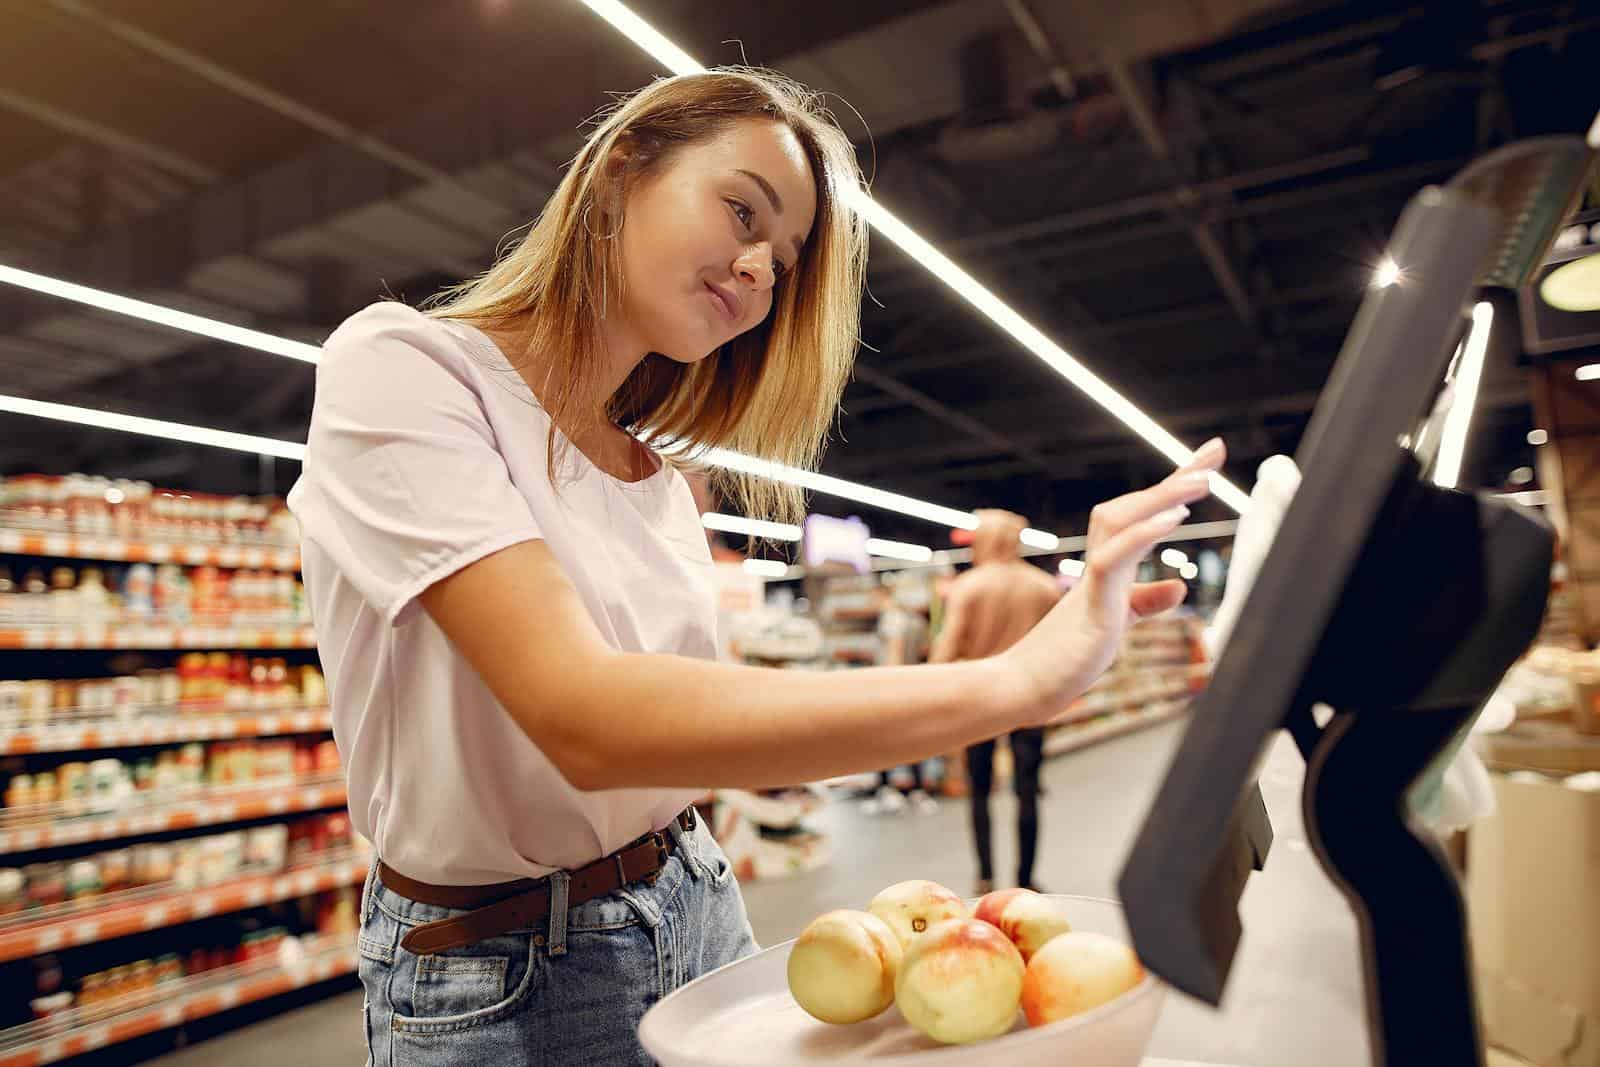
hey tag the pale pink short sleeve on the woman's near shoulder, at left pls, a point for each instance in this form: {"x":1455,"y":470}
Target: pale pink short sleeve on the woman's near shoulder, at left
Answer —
{"x":404,"y":482}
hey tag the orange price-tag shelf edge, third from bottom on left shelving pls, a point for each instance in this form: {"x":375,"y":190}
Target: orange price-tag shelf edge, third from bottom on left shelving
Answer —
{"x":206,"y":807}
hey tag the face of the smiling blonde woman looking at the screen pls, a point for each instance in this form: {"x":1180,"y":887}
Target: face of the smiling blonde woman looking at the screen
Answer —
{"x":708,"y":238}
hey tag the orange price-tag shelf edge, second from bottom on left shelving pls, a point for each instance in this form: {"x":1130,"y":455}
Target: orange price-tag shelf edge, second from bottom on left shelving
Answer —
{"x":118,"y":916}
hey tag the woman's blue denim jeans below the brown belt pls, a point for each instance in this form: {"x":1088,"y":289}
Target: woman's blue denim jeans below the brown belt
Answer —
{"x":561,"y":993}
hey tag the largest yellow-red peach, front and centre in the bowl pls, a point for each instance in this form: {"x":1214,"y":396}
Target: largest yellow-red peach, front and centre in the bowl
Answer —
{"x":961,"y":983}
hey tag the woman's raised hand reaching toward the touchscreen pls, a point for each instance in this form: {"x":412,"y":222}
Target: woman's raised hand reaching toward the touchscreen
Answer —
{"x":1078,"y":641}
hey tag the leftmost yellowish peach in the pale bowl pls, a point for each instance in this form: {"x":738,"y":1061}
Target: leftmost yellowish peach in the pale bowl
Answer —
{"x":844,"y":965}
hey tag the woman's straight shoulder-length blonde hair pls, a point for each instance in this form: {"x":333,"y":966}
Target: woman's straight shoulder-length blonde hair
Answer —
{"x":774,"y":391}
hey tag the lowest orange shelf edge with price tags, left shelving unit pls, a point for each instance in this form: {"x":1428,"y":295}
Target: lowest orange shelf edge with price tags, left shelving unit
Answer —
{"x":175,"y":1004}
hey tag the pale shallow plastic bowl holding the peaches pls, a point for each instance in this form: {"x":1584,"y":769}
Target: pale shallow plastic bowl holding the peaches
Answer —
{"x":743,"y":1015}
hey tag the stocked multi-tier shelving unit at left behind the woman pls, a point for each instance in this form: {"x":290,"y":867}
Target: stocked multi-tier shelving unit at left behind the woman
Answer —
{"x":90,"y":937}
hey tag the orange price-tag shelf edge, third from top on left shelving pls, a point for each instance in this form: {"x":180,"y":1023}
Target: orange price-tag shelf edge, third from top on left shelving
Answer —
{"x":110,"y":733}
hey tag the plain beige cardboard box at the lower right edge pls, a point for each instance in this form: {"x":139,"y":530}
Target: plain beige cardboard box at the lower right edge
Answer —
{"x":1534,"y":887}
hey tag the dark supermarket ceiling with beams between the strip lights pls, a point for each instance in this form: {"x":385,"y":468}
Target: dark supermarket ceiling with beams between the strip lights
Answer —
{"x":1188,"y":194}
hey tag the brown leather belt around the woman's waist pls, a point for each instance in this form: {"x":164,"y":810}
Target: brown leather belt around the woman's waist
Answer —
{"x":519,"y":905}
